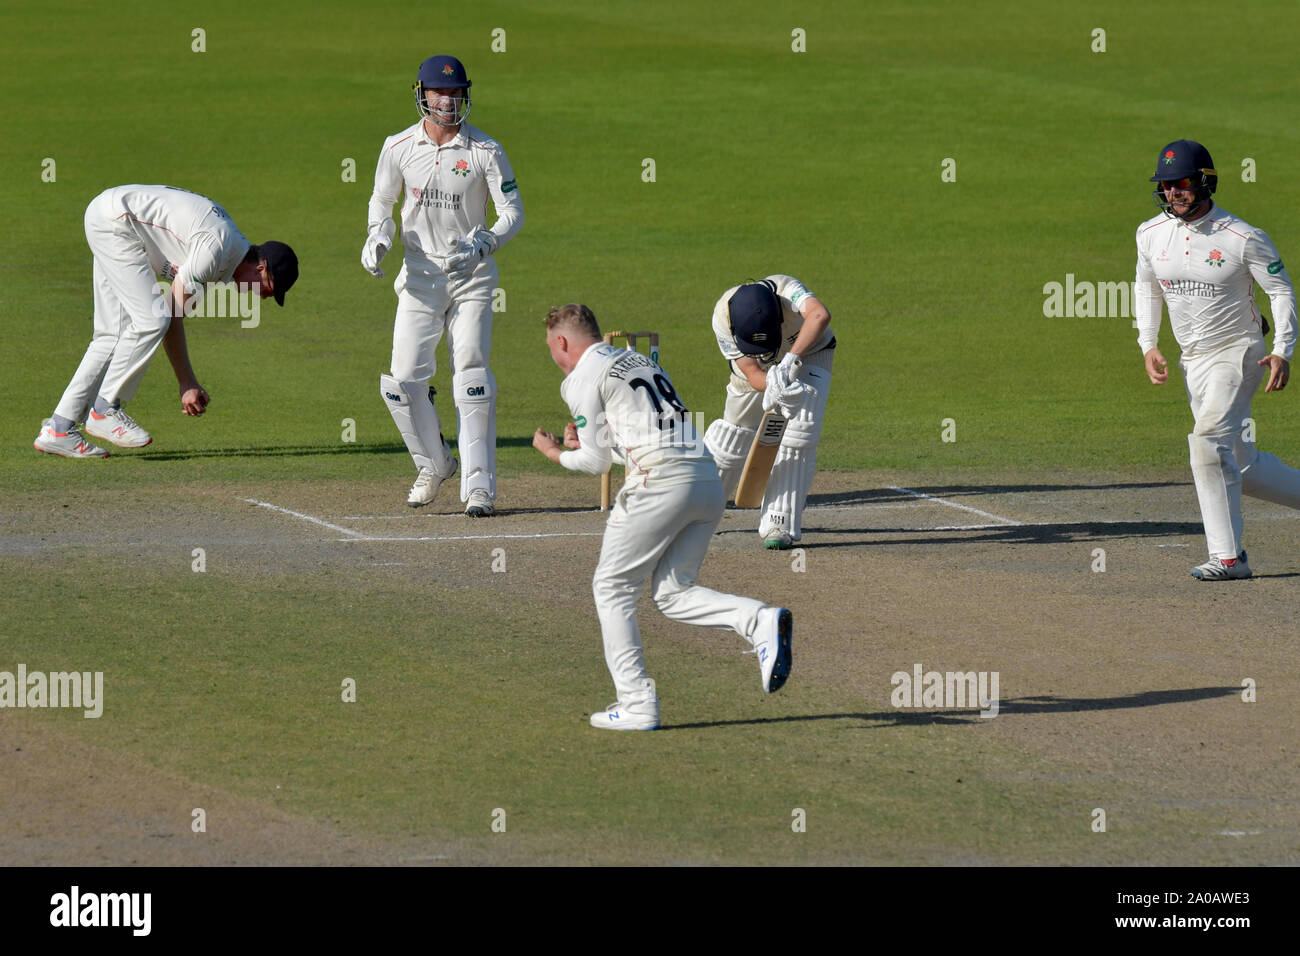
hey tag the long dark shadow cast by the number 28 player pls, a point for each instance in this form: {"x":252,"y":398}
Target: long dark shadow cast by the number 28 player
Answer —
{"x":1012,"y":707}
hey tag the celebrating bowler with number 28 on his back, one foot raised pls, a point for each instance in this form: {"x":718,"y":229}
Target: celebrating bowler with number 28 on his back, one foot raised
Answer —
{"x":664,"y":518}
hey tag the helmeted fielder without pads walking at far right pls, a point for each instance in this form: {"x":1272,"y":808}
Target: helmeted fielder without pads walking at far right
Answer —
{"x":1203,"y":262}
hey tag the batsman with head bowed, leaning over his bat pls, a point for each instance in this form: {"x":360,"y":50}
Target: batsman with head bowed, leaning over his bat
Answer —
{"x":778,"y":339}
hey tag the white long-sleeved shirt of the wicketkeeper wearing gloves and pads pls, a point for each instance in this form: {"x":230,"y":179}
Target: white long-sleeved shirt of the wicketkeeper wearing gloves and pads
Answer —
{"x":447,"y":189}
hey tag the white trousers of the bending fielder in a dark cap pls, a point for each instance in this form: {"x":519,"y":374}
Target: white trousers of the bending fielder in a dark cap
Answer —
{"x":132,"y":315}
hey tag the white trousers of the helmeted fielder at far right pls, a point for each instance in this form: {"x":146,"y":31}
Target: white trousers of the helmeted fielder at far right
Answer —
{"x":1224,"y":456}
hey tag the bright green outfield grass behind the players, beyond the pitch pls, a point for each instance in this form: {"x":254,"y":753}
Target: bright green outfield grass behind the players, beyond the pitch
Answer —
{"x":822,"y":165}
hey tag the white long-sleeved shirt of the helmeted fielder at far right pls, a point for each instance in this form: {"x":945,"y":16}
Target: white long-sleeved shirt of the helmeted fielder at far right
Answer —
{"x":1206,"y":272}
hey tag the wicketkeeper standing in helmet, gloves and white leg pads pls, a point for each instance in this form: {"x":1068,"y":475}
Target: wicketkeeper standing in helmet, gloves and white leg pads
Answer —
{"x":448,"y":171}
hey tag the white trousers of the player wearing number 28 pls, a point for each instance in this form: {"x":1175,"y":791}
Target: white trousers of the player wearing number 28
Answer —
{"x":661,"y":534}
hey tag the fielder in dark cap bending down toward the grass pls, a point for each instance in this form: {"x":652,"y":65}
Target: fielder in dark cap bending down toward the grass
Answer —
{"x":137,"y":236}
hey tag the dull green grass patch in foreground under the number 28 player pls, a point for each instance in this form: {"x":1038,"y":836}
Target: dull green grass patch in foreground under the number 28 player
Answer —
{"x":448,"y":729}
